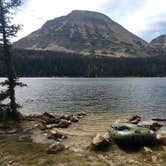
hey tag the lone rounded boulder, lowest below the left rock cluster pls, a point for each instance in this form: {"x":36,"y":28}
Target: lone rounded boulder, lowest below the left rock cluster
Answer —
{"x":55,"y":148}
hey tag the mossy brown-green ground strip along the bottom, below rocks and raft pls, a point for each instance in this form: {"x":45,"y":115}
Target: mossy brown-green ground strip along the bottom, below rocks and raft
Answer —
{"x":32,"y":154}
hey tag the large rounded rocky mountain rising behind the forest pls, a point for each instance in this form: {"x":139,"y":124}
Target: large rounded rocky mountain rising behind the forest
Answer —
{"x":86,"y":32}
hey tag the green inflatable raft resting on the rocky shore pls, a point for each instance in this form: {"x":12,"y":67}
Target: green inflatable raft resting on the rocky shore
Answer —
{"x":130,"y":134}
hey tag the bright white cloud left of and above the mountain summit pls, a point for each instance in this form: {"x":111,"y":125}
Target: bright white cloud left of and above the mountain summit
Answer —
{"x":36,"y":12}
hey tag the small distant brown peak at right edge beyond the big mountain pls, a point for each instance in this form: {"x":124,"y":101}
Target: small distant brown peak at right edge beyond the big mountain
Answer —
{"x":159,"y":42}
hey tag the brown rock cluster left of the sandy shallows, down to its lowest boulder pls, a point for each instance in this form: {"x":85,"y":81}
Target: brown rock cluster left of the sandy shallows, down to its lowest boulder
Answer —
{"x":50,"y":123}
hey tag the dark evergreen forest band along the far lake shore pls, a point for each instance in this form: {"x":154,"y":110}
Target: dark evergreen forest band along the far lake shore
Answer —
{"x":29,"y":63}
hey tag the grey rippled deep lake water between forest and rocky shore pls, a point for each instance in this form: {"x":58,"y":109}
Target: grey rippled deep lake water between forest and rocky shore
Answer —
{"x":117,"y":96}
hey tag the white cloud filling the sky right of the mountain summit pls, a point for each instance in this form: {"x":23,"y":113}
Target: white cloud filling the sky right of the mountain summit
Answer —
{"x":140,"y":17}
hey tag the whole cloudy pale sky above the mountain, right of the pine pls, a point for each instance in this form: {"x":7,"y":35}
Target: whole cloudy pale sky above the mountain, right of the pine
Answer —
{"x":145,"y":18}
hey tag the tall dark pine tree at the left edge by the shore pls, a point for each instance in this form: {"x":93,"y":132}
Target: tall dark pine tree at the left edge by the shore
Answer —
{"x":8,"y":30}
